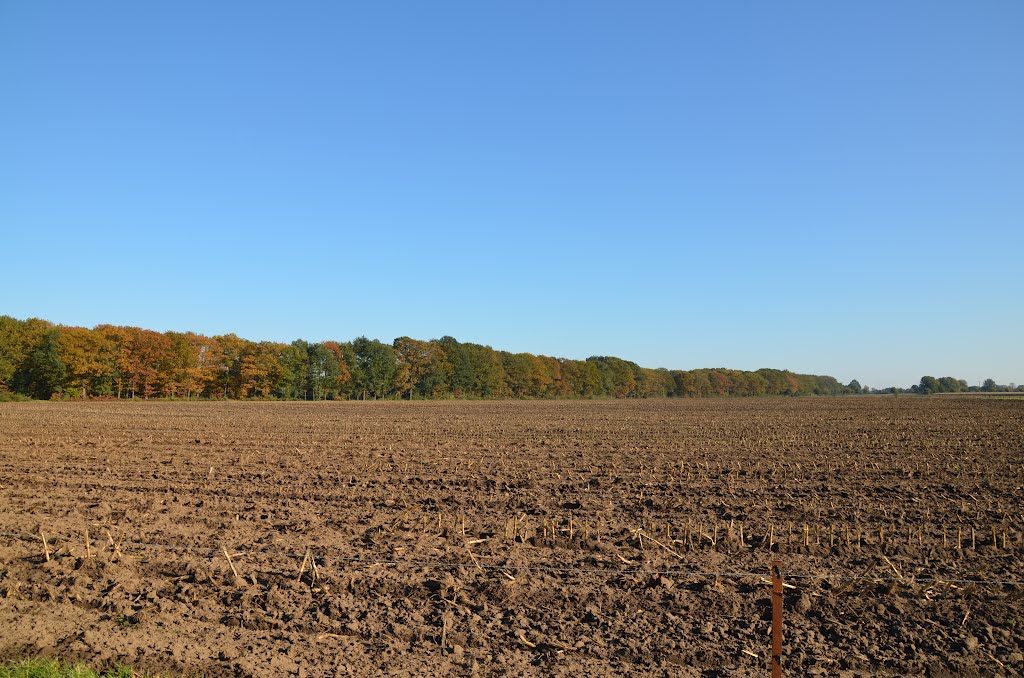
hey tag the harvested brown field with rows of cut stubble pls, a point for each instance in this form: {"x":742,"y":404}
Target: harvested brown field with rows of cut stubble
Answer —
{"x":443,"y":543}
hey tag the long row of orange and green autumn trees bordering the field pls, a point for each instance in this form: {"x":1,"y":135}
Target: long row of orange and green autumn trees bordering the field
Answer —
{"x":45,"y":361}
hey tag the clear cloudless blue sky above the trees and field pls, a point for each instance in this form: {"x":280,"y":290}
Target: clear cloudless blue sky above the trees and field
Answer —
{"x":829,"y":188}
